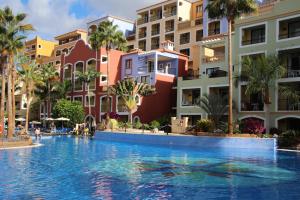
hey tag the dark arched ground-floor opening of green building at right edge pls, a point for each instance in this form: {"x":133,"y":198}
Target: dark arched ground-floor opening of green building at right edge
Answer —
{"x":288,"y":123}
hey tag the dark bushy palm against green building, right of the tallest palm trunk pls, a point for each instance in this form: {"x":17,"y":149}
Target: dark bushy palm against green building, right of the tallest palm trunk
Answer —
{"x":261,"y":75}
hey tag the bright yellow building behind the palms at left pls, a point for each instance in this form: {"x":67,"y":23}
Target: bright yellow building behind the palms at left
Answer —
{"x":38,"y":49}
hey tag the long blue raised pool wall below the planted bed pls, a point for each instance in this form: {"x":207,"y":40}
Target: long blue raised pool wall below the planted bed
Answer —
{"x":189,"y":140}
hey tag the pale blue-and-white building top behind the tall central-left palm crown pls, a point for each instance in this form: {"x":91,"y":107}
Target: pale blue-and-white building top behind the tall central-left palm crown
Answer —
{"x":124,"y":25}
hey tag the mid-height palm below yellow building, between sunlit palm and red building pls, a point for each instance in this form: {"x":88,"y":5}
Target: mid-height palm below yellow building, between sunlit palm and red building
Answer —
{"x":50,"y":77}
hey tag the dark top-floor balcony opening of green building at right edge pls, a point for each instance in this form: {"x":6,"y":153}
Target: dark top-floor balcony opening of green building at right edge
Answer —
{"x":289,"y":28}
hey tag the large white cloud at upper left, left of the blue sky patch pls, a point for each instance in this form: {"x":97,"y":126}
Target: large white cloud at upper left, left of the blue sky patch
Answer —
{"x":49,"y":17}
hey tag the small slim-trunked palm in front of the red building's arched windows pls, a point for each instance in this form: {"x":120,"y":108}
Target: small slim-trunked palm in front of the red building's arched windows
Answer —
{"x":87,"y":77}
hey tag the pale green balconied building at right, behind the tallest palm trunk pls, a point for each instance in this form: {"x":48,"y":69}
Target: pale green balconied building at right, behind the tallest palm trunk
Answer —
{"x":274,"y":29}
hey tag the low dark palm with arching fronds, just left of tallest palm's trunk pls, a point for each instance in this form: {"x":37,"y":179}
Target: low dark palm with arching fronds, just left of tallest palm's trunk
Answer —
{"x":215,"y":106}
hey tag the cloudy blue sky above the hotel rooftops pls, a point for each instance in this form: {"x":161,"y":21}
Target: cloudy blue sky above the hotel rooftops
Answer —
{"x":54,"y":17}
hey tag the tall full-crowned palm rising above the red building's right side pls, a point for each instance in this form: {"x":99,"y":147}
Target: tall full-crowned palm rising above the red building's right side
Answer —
{"x":107,"y":35}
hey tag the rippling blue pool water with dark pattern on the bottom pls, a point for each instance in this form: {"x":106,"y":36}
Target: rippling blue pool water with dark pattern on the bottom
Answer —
{"x":73,"y":168}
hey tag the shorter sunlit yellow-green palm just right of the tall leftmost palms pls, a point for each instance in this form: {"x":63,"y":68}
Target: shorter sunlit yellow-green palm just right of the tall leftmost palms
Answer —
{"x":29,"y":77}
